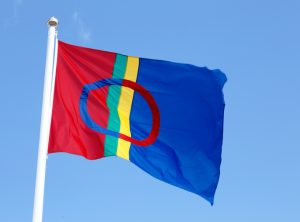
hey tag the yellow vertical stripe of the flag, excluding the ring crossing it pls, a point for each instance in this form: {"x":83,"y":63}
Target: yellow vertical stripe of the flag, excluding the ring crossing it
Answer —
{"x":124,"y":106}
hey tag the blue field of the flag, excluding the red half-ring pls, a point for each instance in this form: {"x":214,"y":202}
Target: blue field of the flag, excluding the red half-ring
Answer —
{"x":187,"y":152}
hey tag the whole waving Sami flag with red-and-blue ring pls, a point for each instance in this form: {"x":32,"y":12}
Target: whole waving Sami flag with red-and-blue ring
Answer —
{"x":165,"y":117}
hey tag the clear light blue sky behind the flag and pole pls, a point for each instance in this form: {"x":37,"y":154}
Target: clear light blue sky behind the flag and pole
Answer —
{"x":256,"y":43}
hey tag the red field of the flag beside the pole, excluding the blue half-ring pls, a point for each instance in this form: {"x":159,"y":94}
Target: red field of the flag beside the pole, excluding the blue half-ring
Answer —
{"x":77,"y":66}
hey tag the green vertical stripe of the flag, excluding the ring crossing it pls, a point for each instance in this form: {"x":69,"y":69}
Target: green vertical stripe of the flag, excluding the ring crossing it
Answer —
{"x":114,"y":92}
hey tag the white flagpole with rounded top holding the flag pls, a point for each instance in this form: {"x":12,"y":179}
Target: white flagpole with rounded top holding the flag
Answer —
{"x":45,"y":120}
